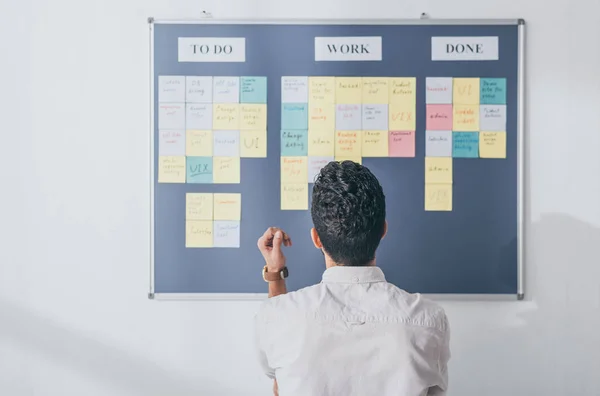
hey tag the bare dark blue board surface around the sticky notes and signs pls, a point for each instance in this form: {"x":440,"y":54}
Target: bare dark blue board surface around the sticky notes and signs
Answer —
{"x":472,"y":249}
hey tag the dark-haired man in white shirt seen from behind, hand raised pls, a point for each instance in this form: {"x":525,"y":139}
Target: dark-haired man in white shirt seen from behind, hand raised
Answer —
{"x":353,"y":333}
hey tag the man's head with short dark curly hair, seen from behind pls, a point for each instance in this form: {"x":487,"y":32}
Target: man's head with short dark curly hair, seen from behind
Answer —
{"x":348,"y":212}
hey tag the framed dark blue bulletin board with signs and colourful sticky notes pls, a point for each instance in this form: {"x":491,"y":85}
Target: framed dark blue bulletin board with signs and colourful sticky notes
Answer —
{"x":245,"y":113}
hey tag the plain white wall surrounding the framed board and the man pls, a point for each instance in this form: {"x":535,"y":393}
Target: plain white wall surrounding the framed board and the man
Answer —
{"x":74,"y":317}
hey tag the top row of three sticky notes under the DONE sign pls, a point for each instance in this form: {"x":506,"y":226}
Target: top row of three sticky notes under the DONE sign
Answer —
{"x":465,"y":91}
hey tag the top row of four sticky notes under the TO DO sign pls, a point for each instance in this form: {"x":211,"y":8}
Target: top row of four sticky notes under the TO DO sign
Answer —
{"x":208,"y":89}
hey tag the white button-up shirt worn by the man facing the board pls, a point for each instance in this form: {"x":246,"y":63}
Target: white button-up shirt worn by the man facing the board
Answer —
{"x":354,"y":334}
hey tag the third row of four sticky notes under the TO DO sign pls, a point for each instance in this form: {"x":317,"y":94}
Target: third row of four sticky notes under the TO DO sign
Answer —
{"x":245,"y":143}
